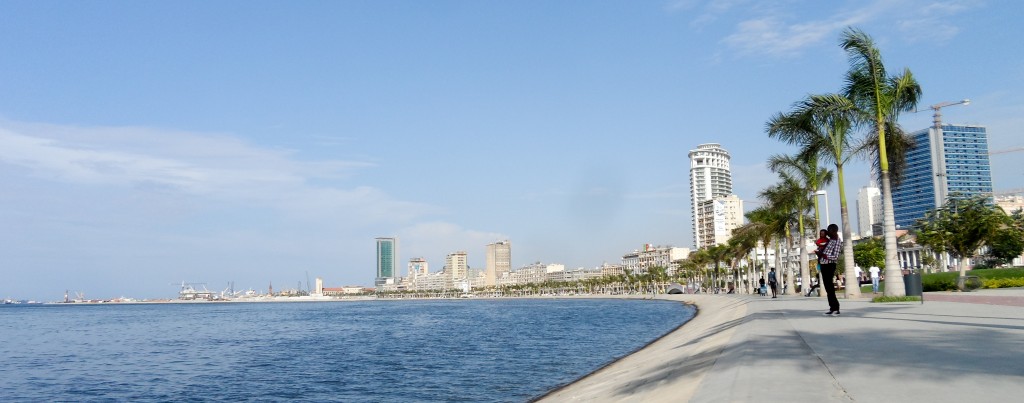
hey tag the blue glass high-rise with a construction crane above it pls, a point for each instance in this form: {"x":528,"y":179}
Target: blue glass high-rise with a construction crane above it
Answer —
{"x":951,"y":162}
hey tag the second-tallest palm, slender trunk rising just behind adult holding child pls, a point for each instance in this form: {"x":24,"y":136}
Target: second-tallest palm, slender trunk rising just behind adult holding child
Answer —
{"x":822,"y":126}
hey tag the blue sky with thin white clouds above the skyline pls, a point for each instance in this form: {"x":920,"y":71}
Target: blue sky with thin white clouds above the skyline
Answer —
{"x":148,"y":144}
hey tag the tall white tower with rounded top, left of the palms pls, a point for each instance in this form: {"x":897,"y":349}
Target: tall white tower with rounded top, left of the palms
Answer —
{"x":710,"y":180}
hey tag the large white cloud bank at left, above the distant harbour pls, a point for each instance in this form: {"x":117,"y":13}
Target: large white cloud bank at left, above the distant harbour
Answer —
{"x":198,"y":166}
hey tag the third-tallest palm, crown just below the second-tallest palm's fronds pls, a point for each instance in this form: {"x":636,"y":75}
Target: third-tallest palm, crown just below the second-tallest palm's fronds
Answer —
{"x":806,"y":170}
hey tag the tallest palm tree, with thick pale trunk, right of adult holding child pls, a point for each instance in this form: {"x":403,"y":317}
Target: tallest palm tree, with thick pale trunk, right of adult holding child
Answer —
{"x":882,"y":98}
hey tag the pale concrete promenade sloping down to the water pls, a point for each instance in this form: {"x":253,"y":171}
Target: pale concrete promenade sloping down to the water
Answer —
{"x":956,"y":347}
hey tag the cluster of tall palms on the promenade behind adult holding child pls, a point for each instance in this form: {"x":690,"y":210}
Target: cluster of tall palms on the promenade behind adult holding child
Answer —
{"x":834,"y":129}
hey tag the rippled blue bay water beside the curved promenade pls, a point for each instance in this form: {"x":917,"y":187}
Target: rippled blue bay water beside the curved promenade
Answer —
{"x":375,"y":351}
